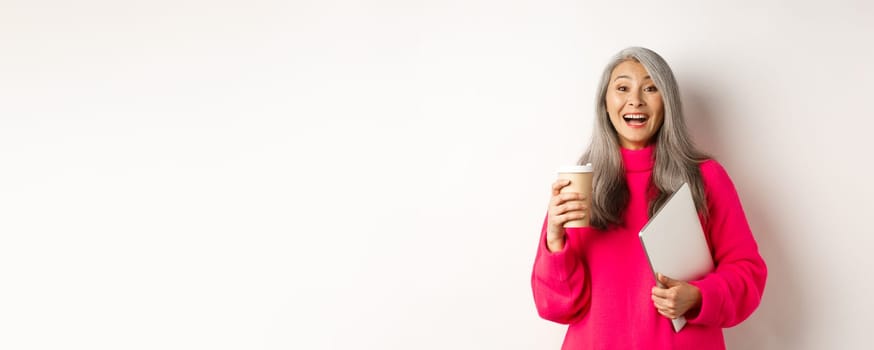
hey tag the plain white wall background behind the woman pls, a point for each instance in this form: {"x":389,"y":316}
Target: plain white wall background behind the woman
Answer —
{"x":373,"y":174}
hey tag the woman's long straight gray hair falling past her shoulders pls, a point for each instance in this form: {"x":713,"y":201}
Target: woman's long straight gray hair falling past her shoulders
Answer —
{"x":676,"y":158}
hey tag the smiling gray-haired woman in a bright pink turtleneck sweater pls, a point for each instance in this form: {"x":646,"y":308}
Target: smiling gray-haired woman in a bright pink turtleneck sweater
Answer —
{"x":597,"y":279}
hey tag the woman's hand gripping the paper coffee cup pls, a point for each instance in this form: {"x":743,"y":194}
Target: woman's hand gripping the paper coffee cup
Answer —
{"x":563,"y":207}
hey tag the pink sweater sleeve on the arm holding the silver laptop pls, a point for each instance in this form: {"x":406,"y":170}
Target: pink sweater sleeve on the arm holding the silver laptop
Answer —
{"x":734,"y":289}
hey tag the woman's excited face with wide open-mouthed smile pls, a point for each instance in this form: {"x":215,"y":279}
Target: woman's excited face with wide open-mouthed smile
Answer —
{"x":634,"y":104}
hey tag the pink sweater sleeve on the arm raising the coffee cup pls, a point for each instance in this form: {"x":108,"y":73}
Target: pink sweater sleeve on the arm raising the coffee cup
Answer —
{"x":559,"y":280}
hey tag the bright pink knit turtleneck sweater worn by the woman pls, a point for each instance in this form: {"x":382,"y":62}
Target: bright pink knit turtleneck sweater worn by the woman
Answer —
{"x":600,"y":283}
